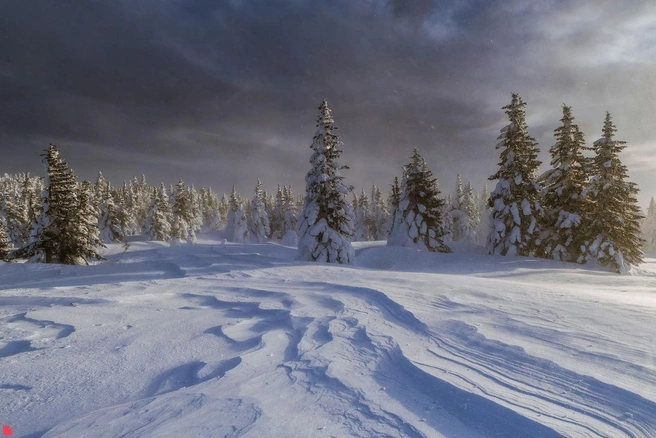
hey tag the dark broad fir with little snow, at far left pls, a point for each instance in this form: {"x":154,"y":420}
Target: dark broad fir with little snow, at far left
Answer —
{"x":60,"y":234}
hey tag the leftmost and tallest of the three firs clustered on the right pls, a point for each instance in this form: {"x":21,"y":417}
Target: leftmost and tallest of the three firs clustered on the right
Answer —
{"x":517,"y":213}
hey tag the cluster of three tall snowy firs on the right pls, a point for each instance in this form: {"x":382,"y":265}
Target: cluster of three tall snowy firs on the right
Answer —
{"x":583,"y":209}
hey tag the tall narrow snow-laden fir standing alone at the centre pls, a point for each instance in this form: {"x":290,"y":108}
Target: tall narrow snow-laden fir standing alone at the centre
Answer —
{"x":326,"y":222}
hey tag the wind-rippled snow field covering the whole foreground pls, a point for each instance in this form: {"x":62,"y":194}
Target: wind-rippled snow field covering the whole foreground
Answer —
{"x":219,"y":340}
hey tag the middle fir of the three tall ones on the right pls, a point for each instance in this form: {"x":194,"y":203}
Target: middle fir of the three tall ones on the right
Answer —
{"x":565,"y":207}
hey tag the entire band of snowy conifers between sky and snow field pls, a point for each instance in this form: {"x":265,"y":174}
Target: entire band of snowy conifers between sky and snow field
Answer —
{"x":583,"y":209}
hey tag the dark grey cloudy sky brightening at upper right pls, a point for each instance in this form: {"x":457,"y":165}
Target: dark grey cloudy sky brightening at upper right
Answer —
{"x":221,"y":92}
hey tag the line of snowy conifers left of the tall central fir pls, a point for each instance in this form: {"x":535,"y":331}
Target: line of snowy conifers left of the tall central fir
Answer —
{"x":57,"y":219}
